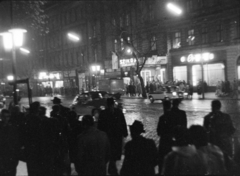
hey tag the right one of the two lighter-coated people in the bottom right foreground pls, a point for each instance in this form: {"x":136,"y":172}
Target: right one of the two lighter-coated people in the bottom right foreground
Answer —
{"x":213,"y":156}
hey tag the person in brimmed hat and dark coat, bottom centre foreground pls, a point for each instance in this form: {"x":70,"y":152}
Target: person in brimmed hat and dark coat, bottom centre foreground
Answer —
{"x":140,"y":153}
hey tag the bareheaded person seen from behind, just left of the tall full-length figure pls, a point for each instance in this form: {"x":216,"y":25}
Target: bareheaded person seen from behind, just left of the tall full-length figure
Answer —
{"x":93,"y":149}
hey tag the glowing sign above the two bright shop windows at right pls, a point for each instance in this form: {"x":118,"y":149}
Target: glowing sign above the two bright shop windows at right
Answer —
{"x":197,"y":57}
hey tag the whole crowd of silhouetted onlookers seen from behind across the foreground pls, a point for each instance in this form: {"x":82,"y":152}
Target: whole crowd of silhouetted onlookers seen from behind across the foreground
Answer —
{"x":95,"y":142}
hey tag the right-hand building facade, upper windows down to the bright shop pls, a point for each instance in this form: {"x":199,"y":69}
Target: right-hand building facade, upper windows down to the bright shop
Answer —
{"x":204,"y":41}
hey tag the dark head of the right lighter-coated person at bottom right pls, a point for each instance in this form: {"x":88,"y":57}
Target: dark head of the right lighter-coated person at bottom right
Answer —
{"x":198,"y":136}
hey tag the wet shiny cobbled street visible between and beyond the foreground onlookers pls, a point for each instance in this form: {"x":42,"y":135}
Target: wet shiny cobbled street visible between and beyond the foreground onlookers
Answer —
{"x":148,"y":113}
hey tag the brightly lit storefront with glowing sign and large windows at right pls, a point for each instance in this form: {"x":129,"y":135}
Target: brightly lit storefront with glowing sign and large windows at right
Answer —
{"x":188,"y":67}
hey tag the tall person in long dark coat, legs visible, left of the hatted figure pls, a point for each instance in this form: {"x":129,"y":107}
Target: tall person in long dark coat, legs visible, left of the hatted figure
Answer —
{"x":112,"y":121}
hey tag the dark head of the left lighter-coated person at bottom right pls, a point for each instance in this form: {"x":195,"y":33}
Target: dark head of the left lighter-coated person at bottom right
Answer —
{"x":180,"y":135}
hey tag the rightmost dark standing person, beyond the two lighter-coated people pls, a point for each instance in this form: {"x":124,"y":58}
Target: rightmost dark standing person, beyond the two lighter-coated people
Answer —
{"x":220,"y":128}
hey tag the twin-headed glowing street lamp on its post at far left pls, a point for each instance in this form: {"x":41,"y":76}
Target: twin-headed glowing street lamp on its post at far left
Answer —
{"x":11,"y":40}
